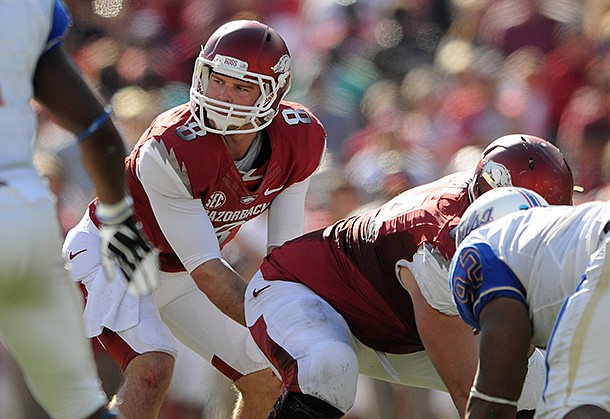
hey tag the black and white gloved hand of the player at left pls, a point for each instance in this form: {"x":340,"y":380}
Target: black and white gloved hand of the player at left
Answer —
{"x":124,"y":243}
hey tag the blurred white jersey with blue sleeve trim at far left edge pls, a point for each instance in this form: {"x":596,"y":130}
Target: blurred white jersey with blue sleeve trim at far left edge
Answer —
{"x":28,"y":28}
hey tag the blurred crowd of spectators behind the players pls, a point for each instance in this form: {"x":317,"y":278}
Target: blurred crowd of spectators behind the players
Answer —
{"x":409,"y":90}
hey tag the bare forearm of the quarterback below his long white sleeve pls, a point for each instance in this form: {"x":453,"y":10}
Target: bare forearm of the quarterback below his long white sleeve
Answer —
{"x":223,"y":286}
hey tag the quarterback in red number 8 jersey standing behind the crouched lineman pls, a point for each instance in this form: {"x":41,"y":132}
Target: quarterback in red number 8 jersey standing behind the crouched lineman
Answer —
{"x":199,"y":172}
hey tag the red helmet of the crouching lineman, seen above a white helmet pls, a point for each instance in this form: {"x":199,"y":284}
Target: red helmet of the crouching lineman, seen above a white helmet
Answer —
{"x":525,"y":161}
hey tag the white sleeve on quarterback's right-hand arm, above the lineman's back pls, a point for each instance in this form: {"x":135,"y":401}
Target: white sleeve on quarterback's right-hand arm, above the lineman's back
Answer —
{"x":287,"y":214}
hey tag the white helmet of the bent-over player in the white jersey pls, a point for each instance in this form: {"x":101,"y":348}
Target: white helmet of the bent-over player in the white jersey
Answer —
{"x":495,"y":204}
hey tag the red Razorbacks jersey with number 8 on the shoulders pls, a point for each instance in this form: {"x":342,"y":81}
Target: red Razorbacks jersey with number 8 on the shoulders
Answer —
{"x":292,"y":147}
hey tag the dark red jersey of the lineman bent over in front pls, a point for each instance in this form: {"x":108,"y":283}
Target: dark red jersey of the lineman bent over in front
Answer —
{"x":352,"y":263}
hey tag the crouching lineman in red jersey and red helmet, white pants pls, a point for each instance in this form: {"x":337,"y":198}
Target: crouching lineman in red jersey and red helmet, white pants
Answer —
{"x":372,"y":294}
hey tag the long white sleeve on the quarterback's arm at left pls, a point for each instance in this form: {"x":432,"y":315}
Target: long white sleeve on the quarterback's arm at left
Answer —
{"x":182,"y":218}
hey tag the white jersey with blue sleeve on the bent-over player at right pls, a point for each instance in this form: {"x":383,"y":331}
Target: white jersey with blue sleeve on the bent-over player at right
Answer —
{"x":536,"y":256}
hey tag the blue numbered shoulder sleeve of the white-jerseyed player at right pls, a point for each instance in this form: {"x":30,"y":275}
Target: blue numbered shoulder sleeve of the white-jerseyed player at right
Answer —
{"x":476,"y":277}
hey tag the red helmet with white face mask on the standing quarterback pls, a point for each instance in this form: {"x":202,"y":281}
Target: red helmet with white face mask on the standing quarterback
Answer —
{"x":246,"y":50}
